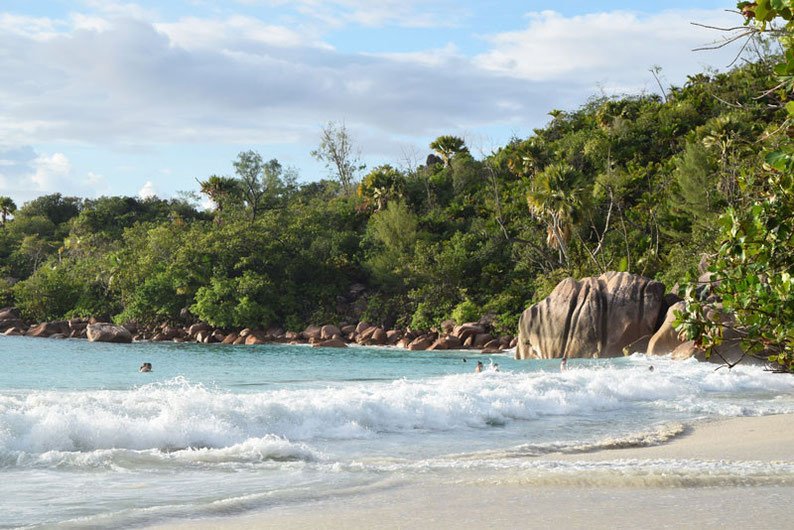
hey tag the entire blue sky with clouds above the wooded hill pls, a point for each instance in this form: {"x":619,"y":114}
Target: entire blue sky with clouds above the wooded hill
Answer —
{"x":99,"y":97}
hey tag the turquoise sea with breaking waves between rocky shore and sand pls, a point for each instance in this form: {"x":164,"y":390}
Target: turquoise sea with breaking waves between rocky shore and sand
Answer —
{"x":85,"y":439}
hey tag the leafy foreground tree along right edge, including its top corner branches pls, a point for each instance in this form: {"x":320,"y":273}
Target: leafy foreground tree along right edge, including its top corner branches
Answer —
{"x":751,"y":274}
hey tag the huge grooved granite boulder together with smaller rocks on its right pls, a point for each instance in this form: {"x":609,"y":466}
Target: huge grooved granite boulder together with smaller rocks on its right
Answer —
{"x":612,"y":315}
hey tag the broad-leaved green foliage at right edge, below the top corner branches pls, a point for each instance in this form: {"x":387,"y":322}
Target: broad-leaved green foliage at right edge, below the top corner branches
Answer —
{"x":753,"y":267}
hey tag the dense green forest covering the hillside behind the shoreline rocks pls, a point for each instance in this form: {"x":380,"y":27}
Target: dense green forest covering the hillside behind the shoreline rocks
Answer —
{"x":636,"y":183}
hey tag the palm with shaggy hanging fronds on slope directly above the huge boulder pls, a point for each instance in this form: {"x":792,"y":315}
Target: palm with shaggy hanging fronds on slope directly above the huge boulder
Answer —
{"x":554,"y":198}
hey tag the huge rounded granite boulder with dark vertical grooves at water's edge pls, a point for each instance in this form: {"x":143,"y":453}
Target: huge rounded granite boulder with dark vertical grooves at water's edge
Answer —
{"x":593,"y":317}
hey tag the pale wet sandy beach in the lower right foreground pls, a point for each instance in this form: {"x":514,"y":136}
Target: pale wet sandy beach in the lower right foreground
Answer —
{"x":639,"y":495}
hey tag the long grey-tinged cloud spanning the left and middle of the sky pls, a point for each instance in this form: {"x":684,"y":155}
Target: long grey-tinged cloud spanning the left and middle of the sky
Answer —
{"x":135,"y":85}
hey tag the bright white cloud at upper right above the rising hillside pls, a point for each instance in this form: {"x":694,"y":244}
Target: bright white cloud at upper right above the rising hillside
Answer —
{"x":618,"y":47}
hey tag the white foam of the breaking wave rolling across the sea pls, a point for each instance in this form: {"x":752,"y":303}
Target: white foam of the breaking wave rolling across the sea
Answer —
{"x":179,"y":415}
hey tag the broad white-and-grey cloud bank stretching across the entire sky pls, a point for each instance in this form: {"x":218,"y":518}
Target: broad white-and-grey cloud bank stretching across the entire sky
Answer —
{"x":120,"y":78}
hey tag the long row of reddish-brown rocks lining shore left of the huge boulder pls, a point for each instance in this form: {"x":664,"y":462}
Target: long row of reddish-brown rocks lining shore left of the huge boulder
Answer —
{"x":471,"y":335}
